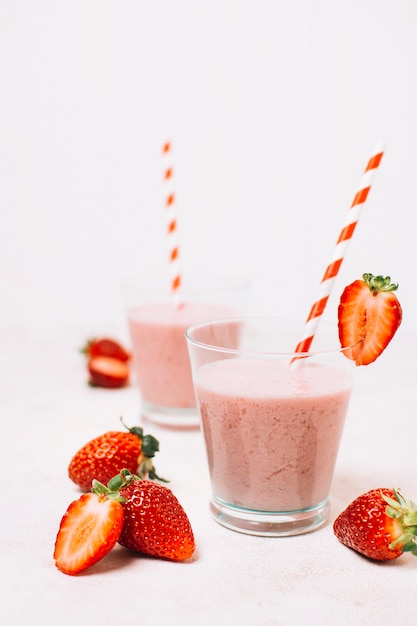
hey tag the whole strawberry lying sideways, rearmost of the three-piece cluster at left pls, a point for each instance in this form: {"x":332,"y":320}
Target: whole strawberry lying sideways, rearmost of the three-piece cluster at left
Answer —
{"x":106,"y":455}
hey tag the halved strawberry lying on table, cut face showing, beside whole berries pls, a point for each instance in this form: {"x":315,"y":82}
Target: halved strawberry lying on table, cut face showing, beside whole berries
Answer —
{"x":88,"y":531}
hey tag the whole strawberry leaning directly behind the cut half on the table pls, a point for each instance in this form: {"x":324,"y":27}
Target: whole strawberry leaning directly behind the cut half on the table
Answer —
{"x":155,"y":522}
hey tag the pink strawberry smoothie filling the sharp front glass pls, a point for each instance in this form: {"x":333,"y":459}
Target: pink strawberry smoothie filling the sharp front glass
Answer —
{"x":272,"y":431}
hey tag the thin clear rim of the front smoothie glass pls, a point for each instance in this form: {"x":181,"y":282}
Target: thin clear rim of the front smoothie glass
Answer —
{"x":252,"y":353}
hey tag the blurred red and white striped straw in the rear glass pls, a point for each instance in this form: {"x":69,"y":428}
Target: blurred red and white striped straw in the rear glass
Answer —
{"x":172,"y":225}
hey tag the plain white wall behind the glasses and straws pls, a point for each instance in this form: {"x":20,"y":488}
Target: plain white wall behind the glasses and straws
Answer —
{"x":273,"y":109}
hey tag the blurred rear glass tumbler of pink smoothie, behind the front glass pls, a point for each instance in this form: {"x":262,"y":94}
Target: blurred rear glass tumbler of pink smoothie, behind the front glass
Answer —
{"x":157,"y":330}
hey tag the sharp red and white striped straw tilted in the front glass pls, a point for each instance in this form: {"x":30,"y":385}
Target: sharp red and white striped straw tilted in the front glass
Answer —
{"x":339,"y":252}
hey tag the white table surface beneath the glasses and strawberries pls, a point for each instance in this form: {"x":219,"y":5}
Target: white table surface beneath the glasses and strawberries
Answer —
{"x":48,"y":412}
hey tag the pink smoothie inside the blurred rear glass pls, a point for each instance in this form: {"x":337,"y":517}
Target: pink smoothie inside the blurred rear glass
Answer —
{"x":160,"y":349}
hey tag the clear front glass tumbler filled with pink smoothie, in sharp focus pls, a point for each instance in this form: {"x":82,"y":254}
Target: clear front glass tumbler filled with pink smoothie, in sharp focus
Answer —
{"x":272,"y":421}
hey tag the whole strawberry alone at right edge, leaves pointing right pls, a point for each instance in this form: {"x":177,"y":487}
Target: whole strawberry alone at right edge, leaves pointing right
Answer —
{"x":381,"y":524}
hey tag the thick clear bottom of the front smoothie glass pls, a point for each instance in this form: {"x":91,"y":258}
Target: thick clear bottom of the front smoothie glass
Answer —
{"x":270,"y":524}
